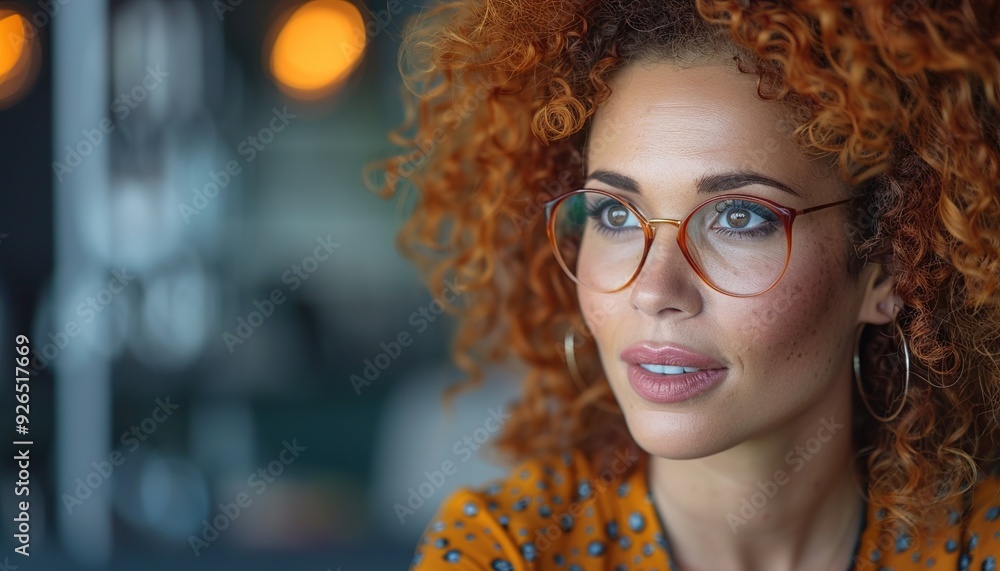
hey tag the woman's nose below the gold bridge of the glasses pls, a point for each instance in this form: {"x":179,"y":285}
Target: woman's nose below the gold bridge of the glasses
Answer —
{"x":666,"y":284}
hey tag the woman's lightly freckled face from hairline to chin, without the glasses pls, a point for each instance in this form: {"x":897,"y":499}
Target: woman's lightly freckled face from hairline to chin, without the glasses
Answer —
{"x":777,"y":358}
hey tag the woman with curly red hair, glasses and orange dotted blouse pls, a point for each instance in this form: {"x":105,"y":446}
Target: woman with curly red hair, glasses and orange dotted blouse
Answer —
{"x":751,"y":253}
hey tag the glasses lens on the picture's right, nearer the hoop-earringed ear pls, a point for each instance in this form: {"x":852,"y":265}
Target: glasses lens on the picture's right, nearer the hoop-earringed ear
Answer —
{"x":739,"y":245}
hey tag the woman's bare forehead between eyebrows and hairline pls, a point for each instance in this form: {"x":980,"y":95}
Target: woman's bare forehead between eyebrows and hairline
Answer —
{"x":663,"y":122}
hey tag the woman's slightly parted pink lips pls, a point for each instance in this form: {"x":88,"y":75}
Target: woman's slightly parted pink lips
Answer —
{"x":662,"y":388}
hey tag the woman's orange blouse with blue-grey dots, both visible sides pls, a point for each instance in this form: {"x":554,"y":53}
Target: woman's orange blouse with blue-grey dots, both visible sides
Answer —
{"x":584,"y":521}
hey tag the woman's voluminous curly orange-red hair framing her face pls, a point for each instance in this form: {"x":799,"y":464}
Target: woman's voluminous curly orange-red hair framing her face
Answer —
{"x":904,"y":99}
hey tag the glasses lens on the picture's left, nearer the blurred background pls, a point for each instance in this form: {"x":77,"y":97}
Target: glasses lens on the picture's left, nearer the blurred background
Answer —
{"x":598,"y":239}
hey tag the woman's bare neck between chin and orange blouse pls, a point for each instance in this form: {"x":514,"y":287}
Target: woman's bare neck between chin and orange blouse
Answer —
{"x":789,"y":499}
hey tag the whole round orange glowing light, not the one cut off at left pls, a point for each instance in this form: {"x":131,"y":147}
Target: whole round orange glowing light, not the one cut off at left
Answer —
{"x":317,"y":47}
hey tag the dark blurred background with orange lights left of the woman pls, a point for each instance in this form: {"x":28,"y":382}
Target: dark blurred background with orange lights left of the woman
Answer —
{"x":230,"y":365}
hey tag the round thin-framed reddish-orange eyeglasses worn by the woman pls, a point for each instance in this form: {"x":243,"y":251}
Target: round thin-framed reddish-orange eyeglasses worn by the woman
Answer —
{"x":738,"y":244}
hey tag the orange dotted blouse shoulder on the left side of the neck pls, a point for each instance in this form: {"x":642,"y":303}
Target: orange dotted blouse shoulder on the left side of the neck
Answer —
{"x":553,"y":512}
